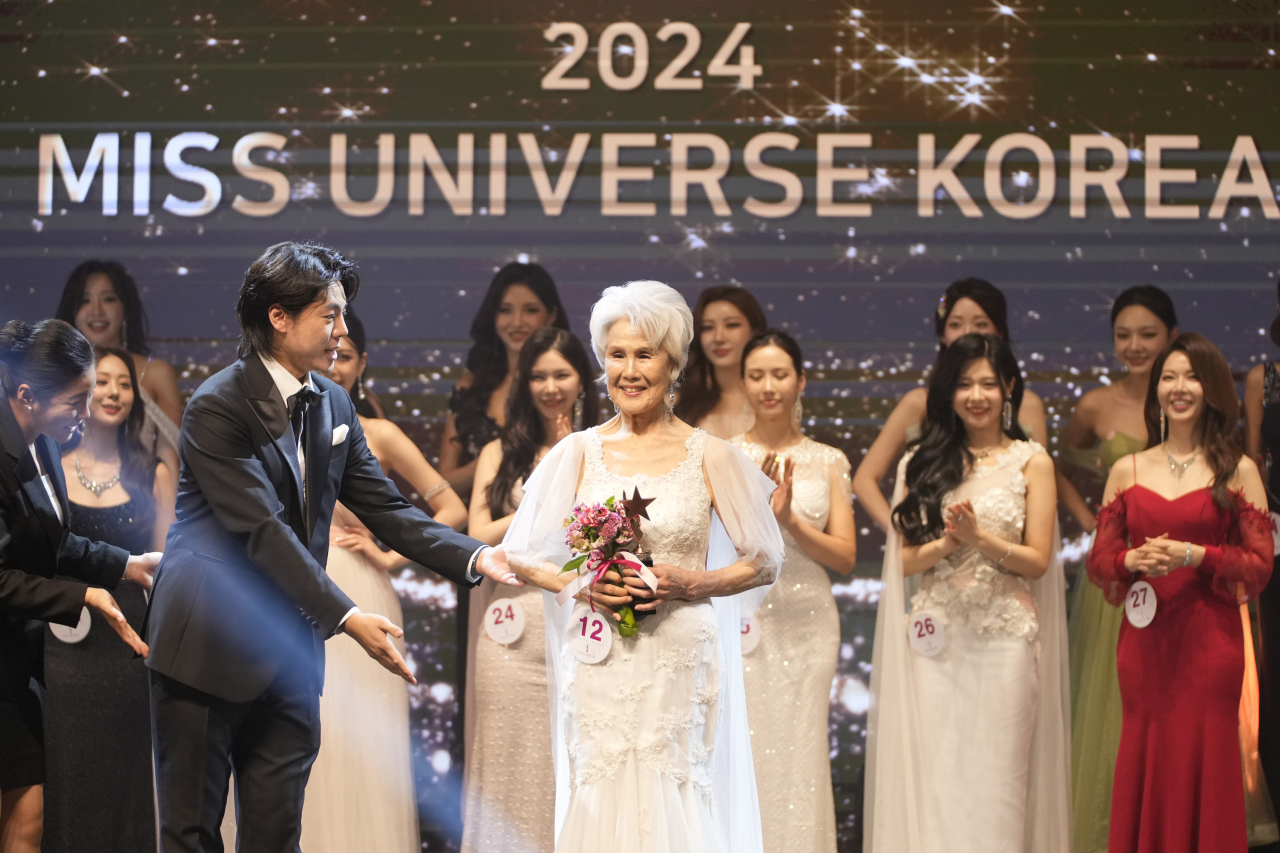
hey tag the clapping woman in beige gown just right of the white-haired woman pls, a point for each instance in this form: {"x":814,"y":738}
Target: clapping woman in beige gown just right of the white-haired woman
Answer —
{"x":790,"y":672}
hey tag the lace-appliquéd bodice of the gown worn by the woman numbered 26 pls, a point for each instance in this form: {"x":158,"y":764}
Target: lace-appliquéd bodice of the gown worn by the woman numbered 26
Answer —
{"x":970,"y":587}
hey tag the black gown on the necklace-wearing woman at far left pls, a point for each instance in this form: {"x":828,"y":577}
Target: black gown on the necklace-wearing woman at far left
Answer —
{"x":98,"y":714}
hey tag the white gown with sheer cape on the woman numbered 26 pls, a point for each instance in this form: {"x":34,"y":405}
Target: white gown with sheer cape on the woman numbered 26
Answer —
{"x":970,"y":750}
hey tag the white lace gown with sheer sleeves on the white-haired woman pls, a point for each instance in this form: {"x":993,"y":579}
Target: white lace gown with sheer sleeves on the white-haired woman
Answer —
{"x":653,"y":755}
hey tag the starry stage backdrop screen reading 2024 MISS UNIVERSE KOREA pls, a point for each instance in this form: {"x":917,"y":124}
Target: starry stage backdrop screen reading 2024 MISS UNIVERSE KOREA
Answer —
{"x":842,"y":161}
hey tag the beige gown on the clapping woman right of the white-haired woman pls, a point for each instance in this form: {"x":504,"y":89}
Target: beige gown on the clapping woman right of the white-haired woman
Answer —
{"x":790,"y":673}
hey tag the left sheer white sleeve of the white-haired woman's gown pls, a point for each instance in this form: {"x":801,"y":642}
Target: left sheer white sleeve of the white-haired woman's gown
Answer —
{"x":537,"y":535}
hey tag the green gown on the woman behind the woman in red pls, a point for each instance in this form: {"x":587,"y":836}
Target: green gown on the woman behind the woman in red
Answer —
{"x":1096,"y":717}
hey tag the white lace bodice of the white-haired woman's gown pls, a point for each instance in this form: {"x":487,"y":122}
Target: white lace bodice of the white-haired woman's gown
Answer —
{"x":679,"y":523}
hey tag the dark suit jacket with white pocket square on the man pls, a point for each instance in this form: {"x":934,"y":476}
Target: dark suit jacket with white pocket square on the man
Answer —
{"x":243,"y":590}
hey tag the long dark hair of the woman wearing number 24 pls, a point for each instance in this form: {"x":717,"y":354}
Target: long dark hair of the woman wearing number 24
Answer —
{"x":525,"y":432}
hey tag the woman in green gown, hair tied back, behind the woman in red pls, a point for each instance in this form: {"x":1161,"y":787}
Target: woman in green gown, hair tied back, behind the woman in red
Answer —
{"x":1107,"y":426}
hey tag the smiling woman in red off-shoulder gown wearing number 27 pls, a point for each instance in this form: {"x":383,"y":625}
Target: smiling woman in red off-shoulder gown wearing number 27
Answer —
{"x":1187,"y":517}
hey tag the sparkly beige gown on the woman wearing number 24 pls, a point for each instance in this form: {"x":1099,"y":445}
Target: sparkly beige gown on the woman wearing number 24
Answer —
{"x":510,"y":783}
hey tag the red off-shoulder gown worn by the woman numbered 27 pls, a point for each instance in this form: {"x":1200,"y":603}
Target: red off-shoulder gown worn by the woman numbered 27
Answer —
{"x":1178,"y":783}
